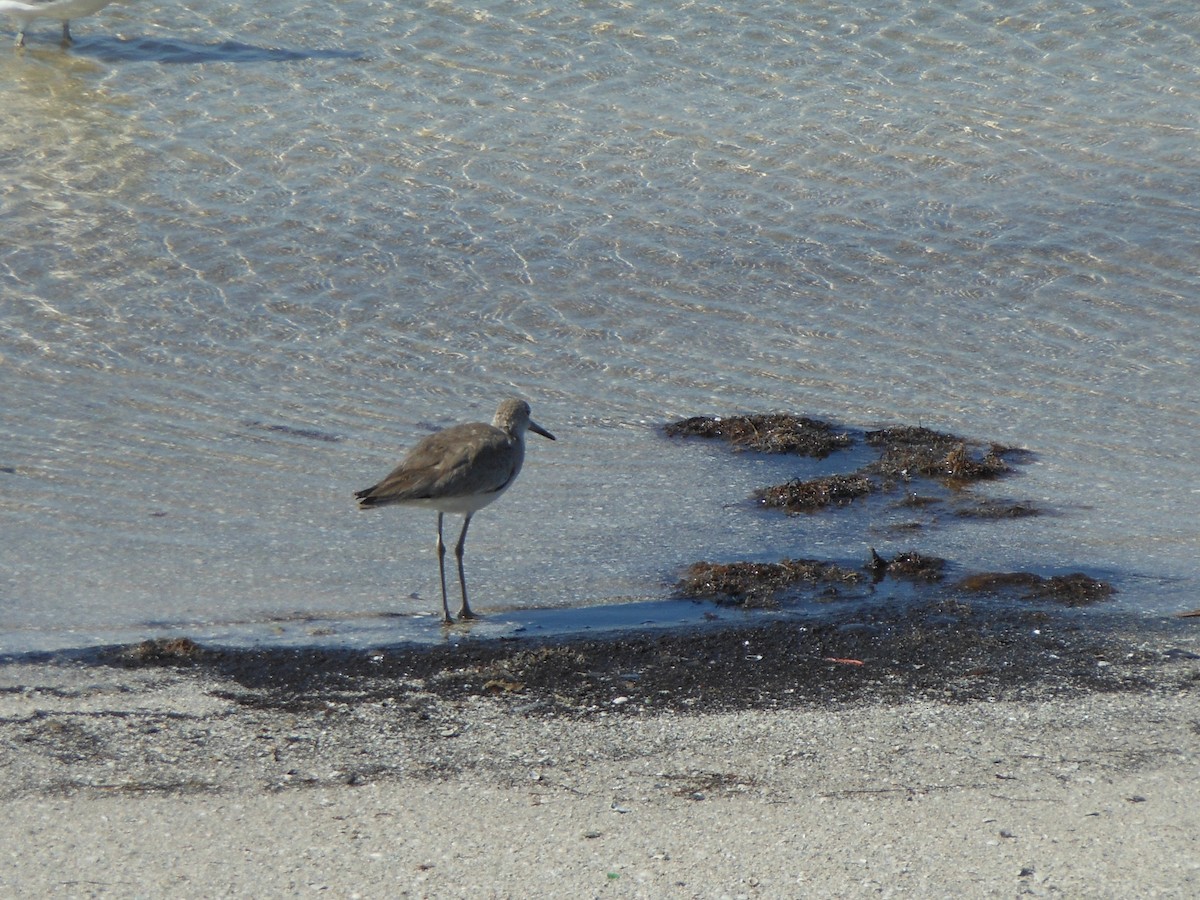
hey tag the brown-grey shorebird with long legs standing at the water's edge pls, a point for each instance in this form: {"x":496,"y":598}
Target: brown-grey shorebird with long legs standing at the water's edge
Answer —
{"x":459,"y":470}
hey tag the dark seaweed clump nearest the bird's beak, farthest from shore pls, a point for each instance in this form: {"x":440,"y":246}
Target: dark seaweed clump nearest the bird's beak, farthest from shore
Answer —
{"x":771,"y":434}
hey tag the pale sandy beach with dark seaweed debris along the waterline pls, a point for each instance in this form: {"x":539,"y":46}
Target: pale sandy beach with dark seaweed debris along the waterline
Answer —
{"x":177,"y":771}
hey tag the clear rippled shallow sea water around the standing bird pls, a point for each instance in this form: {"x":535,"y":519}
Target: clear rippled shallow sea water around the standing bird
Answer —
{"x":249,"y":256}
